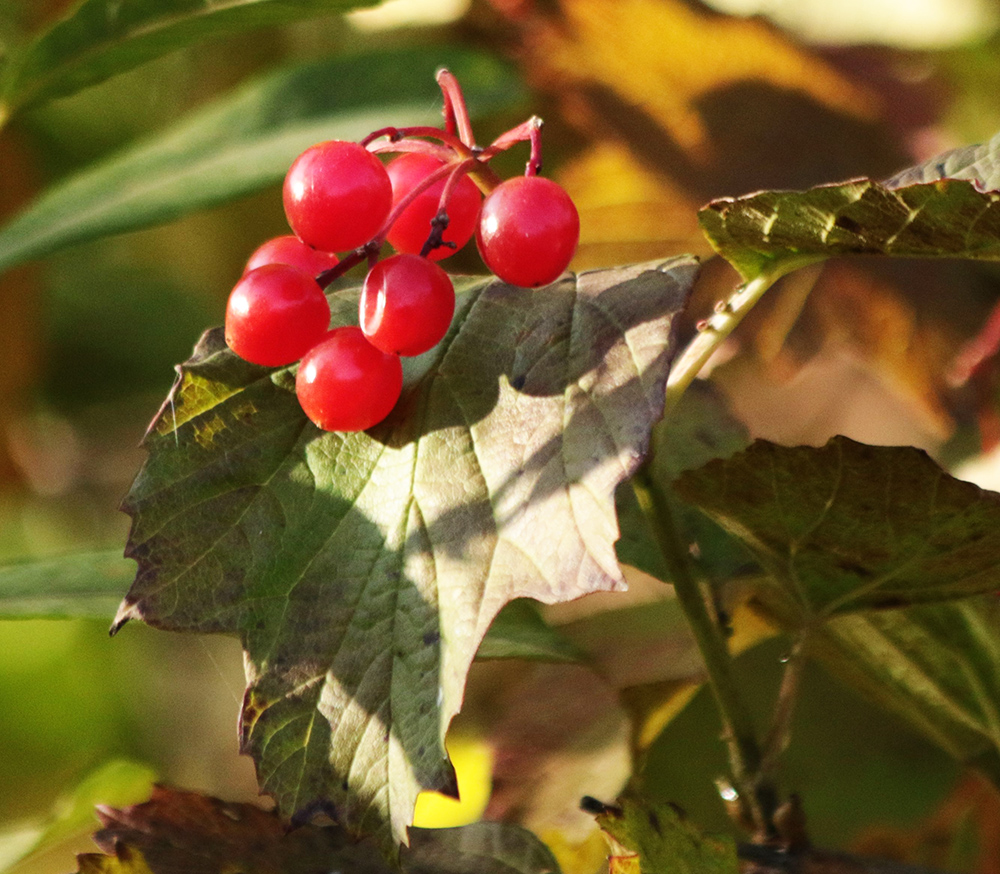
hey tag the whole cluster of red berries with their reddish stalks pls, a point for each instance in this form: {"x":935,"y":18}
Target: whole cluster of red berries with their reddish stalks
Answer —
{"x":427,"y":203}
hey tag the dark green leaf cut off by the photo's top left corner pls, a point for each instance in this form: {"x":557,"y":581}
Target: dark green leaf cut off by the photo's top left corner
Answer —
{"x":100,"y":38}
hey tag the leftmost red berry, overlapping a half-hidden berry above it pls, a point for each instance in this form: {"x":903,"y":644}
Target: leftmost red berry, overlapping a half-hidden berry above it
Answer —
{"x":275,"y":314}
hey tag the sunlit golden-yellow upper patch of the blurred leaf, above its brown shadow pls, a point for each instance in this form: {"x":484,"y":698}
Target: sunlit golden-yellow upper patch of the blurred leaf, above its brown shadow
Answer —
{"x":654,"y":55}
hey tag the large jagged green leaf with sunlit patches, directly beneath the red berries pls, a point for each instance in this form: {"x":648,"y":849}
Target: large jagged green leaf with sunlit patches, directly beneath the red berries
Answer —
{"x":362,"y":570}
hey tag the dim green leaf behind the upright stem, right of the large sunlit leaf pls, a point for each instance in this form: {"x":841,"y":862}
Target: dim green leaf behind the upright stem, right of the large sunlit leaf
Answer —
{"x":697,"y":430}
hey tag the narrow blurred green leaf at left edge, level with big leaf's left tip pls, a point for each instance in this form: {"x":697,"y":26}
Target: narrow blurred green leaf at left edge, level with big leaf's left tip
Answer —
{"x":79,"y":585}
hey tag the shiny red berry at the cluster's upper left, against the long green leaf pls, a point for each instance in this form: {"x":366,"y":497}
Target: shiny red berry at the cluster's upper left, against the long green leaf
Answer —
{"x":337,"y":196}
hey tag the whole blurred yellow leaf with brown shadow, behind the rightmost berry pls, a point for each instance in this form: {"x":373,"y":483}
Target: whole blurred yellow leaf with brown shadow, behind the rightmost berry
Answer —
{"x":677,"y":104}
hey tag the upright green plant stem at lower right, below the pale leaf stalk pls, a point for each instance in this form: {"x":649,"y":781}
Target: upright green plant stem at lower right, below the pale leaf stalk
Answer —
{"x":746,"y":758}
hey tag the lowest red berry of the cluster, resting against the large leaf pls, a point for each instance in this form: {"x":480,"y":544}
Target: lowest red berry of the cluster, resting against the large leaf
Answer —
{"x":346,"y":384}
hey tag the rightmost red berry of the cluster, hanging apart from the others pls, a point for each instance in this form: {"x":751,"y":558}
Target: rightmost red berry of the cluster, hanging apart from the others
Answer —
{"x":528,"y":230}
